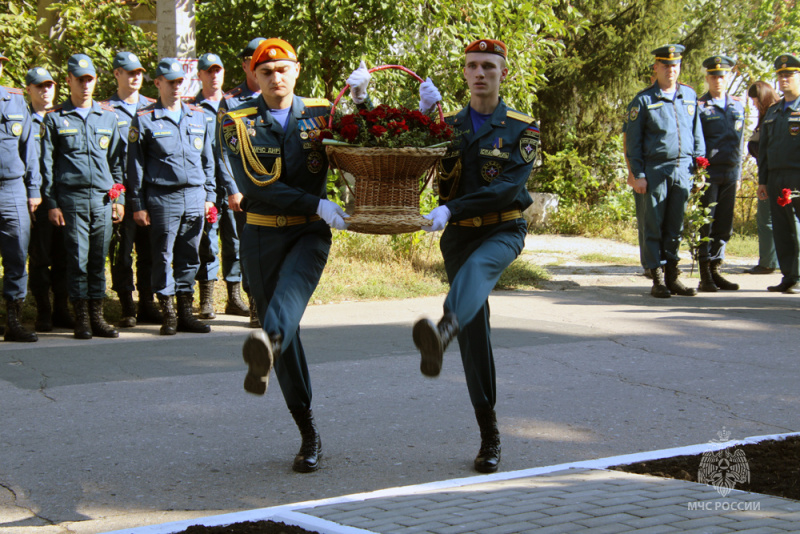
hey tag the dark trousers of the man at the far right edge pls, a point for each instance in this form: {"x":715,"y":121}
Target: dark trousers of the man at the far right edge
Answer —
{"x":785,"y":222}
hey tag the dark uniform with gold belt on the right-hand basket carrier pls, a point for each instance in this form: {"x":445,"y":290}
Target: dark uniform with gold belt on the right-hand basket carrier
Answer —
{"x":482,"y":181}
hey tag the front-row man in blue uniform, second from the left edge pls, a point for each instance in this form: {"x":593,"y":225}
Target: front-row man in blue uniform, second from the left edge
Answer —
{"x":81,"y":163}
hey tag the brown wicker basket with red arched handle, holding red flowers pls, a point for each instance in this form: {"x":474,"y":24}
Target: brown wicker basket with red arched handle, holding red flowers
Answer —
{"x":386,"y":180}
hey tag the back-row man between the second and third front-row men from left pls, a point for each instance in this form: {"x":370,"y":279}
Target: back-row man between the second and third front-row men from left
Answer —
{"x":129,"y":73}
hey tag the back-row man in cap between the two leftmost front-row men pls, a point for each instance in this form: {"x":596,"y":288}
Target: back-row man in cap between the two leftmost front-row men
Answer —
{"x":48,"y":257}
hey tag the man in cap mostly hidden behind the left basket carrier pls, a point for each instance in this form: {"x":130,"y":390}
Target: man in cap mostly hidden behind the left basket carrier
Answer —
{"x":243,"y":94}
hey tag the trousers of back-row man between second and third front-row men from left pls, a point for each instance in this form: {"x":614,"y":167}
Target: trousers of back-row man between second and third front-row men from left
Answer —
{"x":131,"y":234}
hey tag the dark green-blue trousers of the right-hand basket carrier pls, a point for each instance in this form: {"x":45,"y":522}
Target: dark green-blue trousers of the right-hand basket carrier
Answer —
{"x":474,"y":259}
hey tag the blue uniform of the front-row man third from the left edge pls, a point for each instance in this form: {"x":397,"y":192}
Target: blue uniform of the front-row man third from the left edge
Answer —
{"x":171,"y":175}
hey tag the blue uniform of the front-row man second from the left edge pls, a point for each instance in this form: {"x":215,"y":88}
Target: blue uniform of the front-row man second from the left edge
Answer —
{"x":81,"y":162}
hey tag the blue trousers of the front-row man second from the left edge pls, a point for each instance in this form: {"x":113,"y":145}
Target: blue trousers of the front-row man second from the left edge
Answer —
{"x":87,"y":234}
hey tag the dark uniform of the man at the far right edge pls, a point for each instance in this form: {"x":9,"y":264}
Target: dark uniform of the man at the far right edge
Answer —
{"x":778,"y":169}
